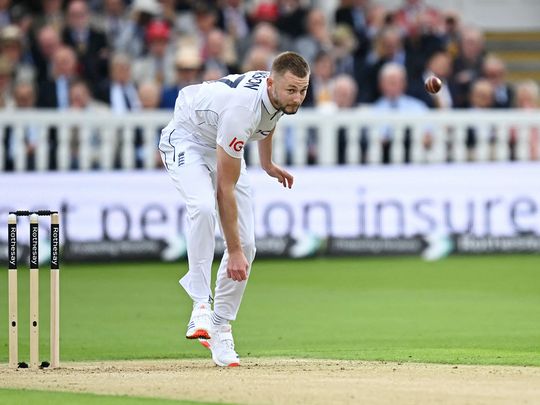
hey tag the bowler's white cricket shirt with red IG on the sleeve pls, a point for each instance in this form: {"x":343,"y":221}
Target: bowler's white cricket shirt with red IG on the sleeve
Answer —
{"x":228,"y":112}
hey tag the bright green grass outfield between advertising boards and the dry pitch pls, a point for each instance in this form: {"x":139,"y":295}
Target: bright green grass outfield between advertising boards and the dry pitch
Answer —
{"x":468,"y":310}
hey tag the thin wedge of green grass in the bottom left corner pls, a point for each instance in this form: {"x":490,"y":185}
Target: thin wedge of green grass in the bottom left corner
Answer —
{"x":11,"y":396}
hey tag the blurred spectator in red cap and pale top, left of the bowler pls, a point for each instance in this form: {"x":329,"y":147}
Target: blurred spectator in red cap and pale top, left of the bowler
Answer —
{"x":156,"y":65}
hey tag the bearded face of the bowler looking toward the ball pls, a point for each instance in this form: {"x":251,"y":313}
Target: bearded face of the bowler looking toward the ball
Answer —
{"x":287,"y":92}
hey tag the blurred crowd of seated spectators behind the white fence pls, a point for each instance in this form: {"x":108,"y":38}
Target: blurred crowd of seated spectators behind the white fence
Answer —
{"x":129,"y":55}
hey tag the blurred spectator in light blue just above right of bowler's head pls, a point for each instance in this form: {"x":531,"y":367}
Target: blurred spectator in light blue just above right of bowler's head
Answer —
{"x":317,"y":36}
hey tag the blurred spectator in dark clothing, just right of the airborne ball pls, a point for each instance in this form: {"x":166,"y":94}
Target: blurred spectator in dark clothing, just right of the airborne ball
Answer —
{"x":468,"y":64}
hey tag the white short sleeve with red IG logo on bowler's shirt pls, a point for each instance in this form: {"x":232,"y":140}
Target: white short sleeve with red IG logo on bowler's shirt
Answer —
{"x":235,"y":126}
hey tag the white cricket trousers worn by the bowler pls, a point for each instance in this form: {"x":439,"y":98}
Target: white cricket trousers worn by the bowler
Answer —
{"x":192,"y":168}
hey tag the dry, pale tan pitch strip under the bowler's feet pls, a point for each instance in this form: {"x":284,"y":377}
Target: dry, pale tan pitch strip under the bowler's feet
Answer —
{"x":290,"y":381}
